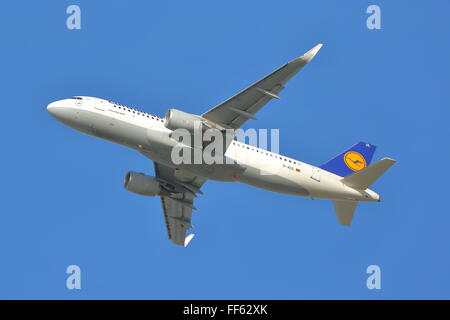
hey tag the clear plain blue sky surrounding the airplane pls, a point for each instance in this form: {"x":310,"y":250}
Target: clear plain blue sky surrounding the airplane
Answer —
{"x":63,"y":202}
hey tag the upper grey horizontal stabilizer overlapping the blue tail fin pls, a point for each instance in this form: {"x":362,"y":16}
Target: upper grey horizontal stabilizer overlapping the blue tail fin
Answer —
{"x":365,"y":177}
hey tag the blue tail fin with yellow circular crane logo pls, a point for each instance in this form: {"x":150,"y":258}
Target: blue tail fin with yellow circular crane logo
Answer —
{"x":351,"y":160}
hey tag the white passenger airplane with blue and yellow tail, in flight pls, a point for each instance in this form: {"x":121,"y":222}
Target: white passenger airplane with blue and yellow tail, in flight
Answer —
{"x":345,"y":179}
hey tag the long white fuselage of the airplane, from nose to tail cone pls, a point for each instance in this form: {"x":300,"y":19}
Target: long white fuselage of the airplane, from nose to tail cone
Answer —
{"x":256,"y":167}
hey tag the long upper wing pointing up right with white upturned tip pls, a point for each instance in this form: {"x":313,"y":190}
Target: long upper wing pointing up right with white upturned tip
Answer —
{"x":238,"y":109}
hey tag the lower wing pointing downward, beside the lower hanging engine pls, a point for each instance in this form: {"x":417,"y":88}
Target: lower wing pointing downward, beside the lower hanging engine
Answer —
{"x":178,"y":202}
